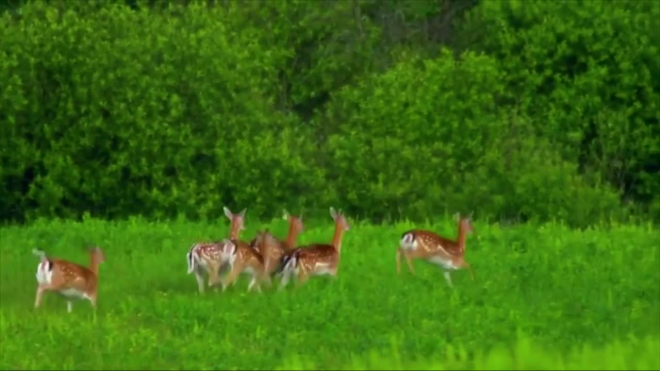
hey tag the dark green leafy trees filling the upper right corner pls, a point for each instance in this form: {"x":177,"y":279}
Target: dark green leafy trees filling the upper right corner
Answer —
{"x":589,"y":71}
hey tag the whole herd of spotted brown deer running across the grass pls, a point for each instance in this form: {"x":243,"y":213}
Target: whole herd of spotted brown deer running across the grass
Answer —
{"x":263,"y":258}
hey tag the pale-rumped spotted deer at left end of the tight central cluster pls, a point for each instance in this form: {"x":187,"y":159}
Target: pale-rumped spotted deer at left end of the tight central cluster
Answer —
{"x":206,"y":257}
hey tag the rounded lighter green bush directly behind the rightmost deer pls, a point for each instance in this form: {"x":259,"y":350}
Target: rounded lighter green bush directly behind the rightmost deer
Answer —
{"x":428,"y":136}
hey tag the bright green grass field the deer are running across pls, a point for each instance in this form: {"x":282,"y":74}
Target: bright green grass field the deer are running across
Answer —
{"x":544,"y":297}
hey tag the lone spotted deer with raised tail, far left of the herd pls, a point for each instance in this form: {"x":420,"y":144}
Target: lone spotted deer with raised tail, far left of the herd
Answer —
{"x":70,"y":280}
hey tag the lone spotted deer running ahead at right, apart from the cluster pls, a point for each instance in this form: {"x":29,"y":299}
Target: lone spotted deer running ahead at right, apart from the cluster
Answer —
{"x":429,"y":246}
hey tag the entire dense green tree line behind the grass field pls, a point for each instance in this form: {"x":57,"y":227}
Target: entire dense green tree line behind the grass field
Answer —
{"x":511,"y":109}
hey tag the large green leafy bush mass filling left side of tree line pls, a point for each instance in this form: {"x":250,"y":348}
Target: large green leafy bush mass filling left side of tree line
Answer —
{"x":125,"y":112}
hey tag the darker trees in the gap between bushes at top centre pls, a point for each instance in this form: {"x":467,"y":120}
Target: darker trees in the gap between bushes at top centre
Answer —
{"x":326,"y":44}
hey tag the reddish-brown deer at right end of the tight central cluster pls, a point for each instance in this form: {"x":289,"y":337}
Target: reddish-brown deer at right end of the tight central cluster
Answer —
{"x":316,"y":259}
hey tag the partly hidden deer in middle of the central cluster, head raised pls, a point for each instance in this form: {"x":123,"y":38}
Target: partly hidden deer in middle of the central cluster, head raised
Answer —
{"x":273,"y":249}
